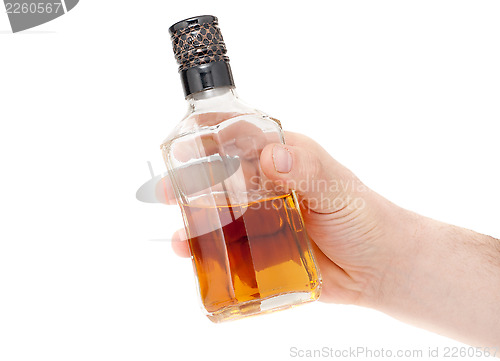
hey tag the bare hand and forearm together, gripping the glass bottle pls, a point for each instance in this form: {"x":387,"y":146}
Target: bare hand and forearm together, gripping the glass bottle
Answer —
{"x":375,"y":254}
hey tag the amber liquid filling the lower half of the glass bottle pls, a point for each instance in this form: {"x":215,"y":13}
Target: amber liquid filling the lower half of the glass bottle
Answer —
{"x":246,"y":254}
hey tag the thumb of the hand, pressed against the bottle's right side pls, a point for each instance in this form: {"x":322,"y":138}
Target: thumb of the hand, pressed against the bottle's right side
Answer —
{"x":322,"y":184}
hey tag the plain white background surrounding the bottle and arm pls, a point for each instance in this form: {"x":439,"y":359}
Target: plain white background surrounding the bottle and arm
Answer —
{"x":405,"y":94}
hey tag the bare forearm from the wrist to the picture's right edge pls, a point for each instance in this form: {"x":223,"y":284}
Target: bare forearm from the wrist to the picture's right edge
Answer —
{"x":445,"y":279}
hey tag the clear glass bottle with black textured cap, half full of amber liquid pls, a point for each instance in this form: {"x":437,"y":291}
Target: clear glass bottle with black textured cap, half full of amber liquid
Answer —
{"x":247,"y":239}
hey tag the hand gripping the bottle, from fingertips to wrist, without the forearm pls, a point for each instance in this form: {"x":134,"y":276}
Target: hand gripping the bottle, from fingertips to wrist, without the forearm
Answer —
{"x":354,"y":238}
